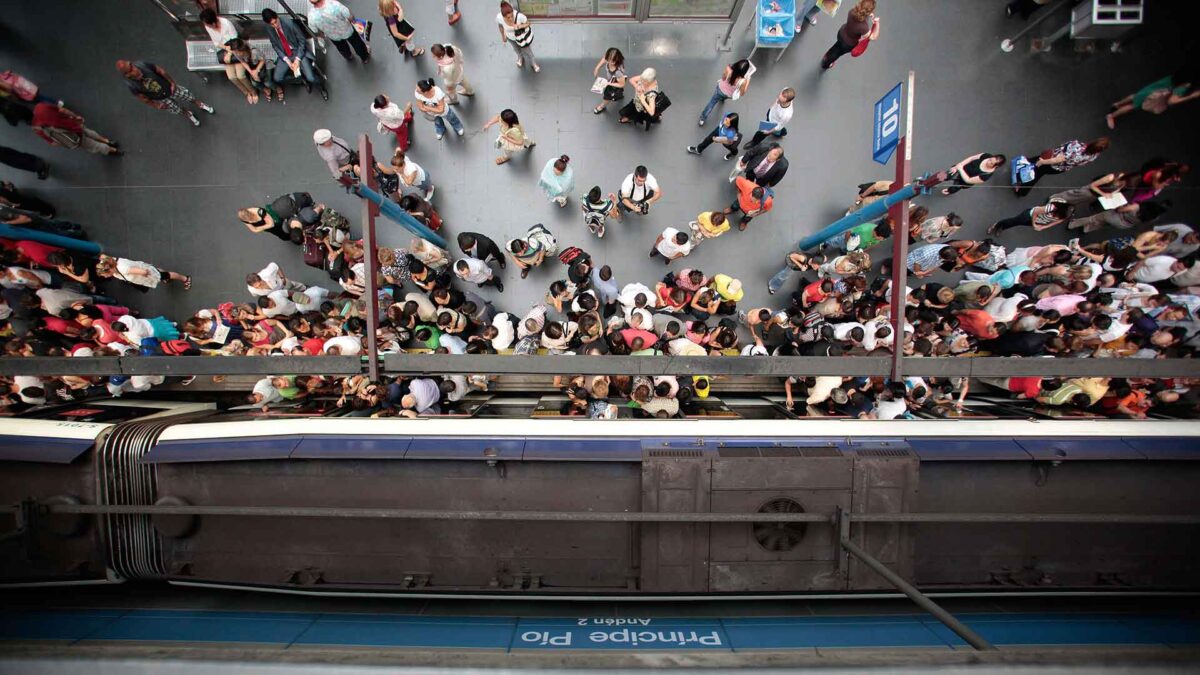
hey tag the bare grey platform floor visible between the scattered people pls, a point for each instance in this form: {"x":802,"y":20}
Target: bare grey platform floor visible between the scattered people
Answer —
{"x":173,"y":199}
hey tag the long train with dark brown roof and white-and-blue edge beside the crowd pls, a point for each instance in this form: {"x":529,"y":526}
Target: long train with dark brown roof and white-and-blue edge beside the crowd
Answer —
{"x":308,"y":501}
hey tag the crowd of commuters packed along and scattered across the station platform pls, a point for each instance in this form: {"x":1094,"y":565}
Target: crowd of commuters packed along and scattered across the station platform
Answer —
{"x":1135,"y":295}
